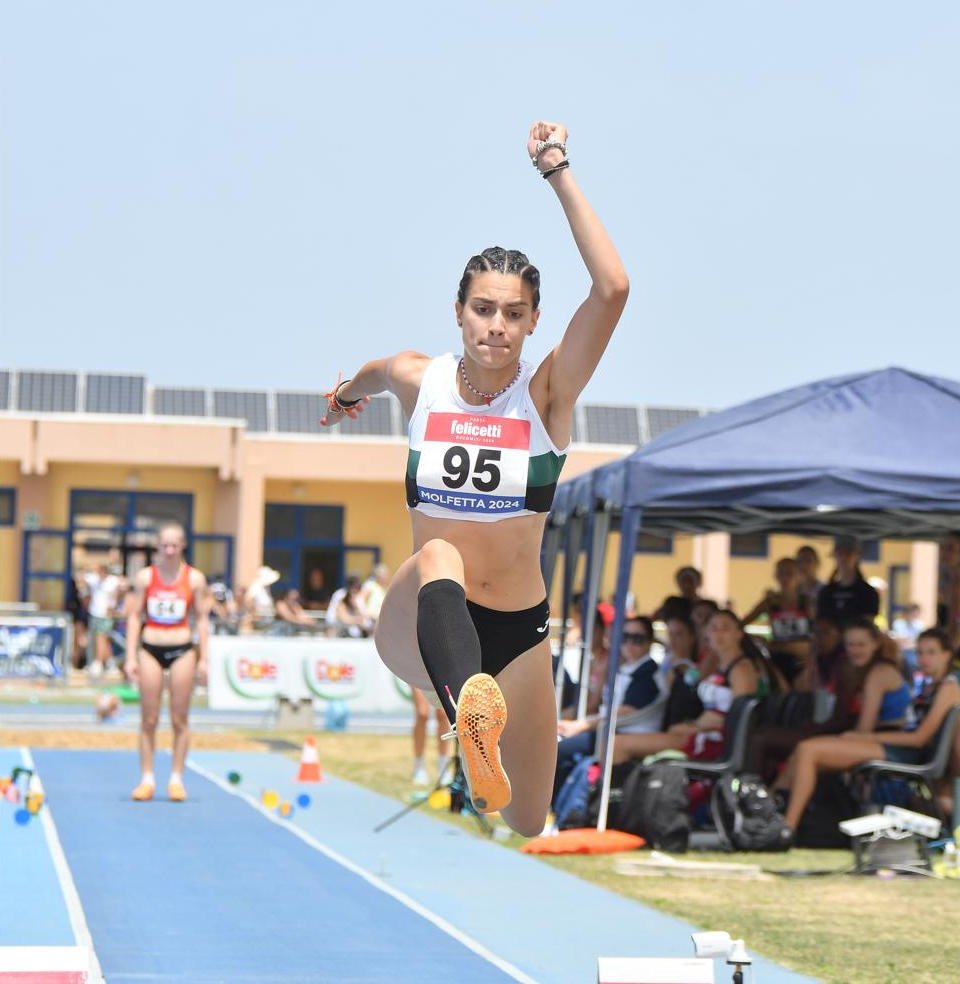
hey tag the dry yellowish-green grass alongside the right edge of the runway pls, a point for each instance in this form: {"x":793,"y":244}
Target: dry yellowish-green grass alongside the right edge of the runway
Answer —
{"x":843,"y":929}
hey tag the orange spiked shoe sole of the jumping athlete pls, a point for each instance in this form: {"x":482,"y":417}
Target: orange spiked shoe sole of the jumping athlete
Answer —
{"x":481,"y":718}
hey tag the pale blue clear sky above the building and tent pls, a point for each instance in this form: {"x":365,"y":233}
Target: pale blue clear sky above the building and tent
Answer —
{"x":256,"y":194}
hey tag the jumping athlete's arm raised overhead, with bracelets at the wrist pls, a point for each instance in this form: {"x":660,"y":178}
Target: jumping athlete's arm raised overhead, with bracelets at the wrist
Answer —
{"x":571,"y":364}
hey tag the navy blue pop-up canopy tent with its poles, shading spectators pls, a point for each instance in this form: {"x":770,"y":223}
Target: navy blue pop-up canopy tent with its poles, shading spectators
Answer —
{"x":875,"y":455}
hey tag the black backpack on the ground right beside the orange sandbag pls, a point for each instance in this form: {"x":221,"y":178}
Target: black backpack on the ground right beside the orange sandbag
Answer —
{"x":654,"y":804}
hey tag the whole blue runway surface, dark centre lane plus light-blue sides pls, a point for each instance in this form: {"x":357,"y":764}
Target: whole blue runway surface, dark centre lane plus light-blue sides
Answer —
{"x":218,"y":890}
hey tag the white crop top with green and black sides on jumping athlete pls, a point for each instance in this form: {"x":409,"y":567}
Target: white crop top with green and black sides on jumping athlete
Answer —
{"x":481,"y":464}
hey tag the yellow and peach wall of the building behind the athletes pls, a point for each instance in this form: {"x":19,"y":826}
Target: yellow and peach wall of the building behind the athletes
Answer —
{"x":232,"y":475}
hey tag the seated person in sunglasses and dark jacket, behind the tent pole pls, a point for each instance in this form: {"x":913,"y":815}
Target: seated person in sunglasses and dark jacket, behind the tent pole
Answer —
{"x":638,"y":692}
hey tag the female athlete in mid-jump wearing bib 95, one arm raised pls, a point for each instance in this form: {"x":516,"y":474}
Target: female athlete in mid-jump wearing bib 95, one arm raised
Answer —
{"x":467,"y":616}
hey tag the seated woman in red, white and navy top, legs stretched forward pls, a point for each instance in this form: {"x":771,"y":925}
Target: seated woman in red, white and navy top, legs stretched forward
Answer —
{"x":740,"y":671}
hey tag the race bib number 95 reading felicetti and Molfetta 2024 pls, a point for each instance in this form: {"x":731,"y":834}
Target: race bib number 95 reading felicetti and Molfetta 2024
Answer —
{"x":474,"y":464}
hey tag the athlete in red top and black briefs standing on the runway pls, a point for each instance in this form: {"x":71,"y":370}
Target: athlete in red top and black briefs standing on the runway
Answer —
{"x":159,"y":637}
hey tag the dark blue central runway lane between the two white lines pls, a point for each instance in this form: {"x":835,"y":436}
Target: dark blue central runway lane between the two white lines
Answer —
{"x":207,"y":891}
